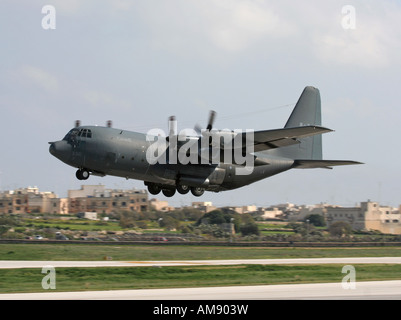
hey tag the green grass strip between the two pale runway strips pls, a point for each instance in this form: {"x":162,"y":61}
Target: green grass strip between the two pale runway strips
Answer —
{"x":81,"y":279}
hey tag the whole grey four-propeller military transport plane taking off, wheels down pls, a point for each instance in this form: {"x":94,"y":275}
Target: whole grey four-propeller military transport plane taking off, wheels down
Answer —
{"x":210,"y":160}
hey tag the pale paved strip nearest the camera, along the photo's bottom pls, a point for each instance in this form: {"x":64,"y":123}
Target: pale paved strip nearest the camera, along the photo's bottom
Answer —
{"x":375,"y":290}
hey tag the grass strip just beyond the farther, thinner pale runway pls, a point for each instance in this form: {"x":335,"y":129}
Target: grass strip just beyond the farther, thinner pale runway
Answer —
{"x":160,"y":252}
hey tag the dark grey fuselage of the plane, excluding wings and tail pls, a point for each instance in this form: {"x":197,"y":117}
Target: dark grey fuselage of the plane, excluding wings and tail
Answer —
{"x":109,"y":151}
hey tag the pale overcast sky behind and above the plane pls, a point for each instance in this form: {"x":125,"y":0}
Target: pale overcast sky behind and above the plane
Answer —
{"x":138,"y":62}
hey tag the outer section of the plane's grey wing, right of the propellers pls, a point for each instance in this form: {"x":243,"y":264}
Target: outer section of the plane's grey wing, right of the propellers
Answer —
{"x":271,"y":139}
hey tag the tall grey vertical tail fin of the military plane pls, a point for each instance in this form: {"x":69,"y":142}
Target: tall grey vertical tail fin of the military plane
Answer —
{"x":307,"y":111}
